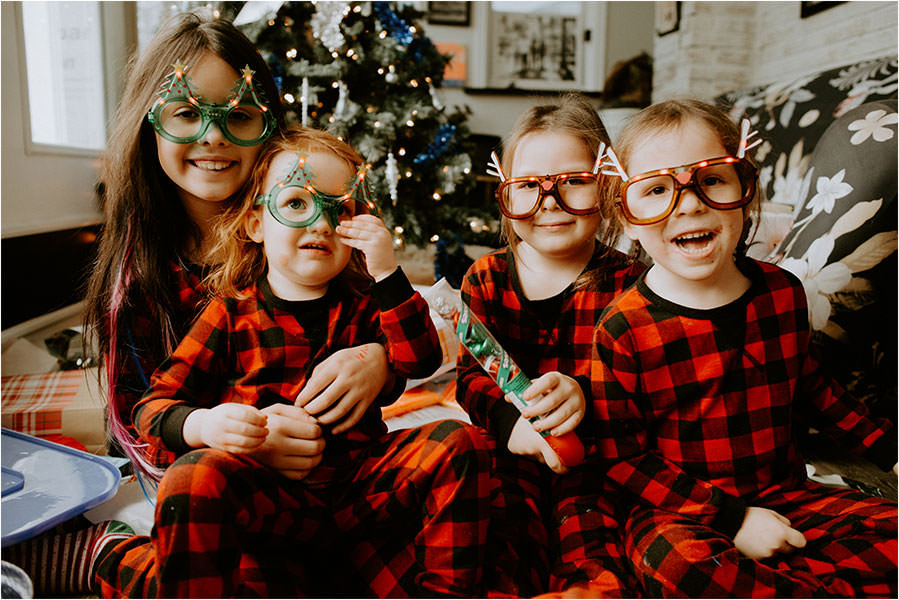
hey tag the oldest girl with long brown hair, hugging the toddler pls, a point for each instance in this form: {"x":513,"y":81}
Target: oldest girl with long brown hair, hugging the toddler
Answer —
{"x":160,"y":199}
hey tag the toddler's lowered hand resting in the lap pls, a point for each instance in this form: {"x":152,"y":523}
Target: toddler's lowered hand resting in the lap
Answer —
{"x":233,"y":427}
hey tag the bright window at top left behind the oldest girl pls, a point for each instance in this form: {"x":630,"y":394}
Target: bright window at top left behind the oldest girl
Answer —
{"x":64,"y":66}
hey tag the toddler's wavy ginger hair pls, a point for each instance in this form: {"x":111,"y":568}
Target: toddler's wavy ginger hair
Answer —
{"x":240,"y":260}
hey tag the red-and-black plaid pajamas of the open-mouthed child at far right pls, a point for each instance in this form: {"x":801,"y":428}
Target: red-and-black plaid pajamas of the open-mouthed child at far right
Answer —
{"x":699,"y":411}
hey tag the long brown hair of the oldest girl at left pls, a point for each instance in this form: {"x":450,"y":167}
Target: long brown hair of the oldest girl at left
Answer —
{"x":145,"y":225}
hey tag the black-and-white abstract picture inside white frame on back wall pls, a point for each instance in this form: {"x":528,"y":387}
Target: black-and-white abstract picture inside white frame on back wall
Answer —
{"x":535,"y":51}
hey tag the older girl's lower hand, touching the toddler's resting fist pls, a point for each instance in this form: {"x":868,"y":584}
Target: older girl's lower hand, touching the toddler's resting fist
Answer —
{"x":294,"y":445}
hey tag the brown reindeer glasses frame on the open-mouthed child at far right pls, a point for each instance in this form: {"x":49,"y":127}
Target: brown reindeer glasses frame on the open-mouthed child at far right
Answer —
{"x":751,"y":172}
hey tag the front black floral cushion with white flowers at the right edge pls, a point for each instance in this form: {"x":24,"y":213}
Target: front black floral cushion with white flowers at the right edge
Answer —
{"x":843,"y":241}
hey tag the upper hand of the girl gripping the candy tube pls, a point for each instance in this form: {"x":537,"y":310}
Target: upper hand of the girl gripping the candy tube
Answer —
{"x":562,"y":406}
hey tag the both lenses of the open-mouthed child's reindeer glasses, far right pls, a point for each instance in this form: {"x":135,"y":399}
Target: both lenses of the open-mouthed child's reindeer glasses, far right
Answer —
{"x":653,"y":197}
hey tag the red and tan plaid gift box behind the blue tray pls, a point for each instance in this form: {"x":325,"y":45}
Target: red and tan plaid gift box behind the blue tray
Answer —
{"x":55,"y":403}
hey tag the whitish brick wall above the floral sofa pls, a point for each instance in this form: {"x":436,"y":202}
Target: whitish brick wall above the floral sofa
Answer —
{"x":721,"y":46}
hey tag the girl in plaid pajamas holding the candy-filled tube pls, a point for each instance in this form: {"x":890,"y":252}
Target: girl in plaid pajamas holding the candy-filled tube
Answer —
{"x":540,"y":297}
